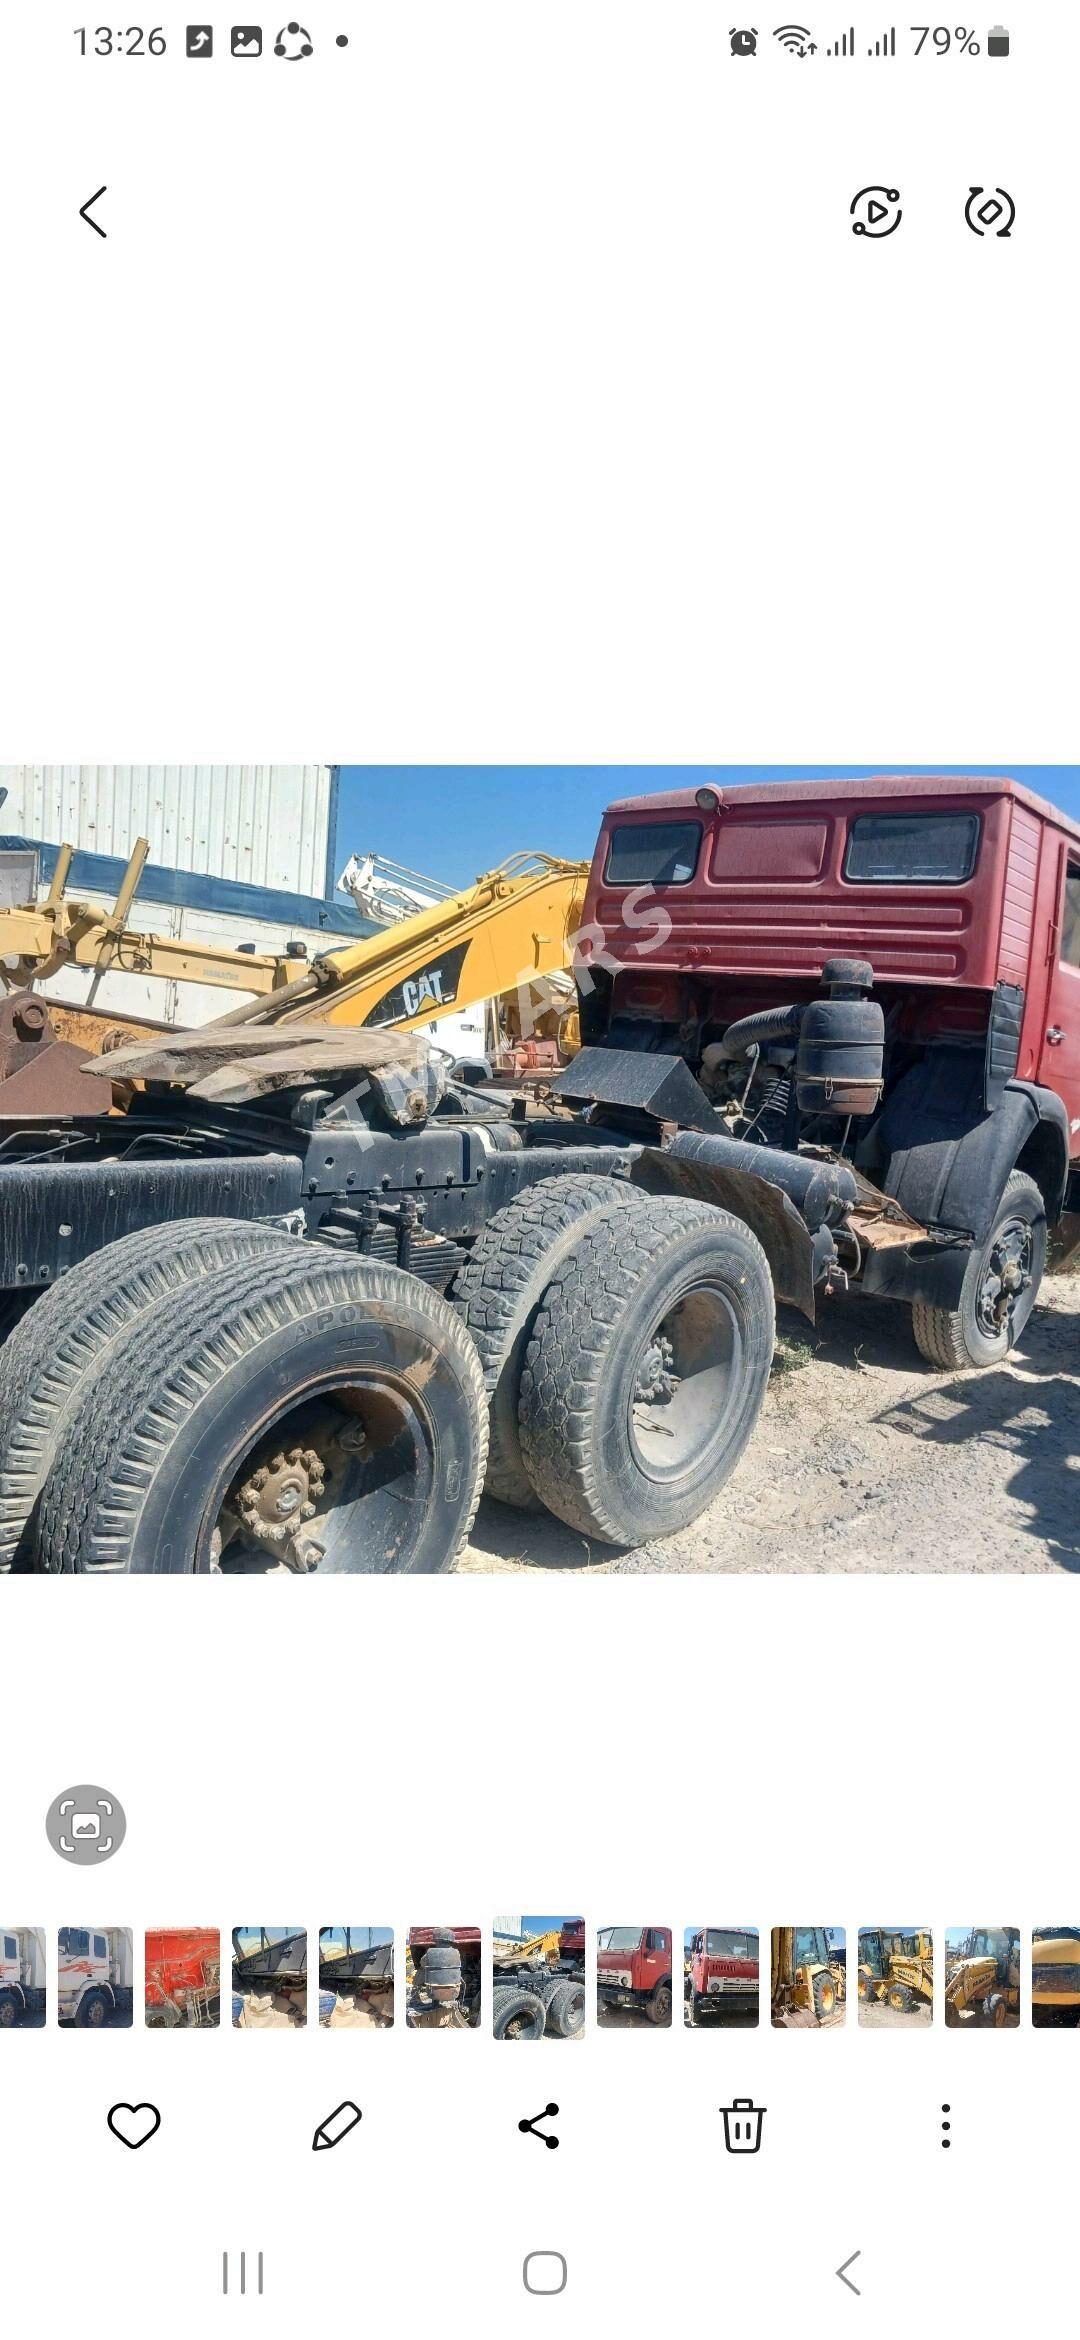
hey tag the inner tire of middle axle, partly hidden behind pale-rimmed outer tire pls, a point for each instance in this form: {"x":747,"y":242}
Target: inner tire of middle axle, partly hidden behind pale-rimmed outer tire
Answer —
{"x":499,"y":1293}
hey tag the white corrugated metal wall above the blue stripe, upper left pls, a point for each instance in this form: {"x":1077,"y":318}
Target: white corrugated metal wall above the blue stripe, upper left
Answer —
{"x":268,"y":825}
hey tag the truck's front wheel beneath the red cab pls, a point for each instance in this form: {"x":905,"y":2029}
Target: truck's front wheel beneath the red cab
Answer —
{"x":999,"y":1288}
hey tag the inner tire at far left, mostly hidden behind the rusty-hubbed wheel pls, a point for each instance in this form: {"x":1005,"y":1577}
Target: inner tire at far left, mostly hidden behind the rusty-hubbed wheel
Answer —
{"x":53,"y":1356}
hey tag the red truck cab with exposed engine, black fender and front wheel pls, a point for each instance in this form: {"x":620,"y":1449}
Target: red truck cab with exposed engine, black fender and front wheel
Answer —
{"x":875,"y":982}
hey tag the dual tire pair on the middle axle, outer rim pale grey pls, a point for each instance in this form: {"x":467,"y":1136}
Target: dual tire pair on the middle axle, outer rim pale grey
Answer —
{"x":628,"y":1344}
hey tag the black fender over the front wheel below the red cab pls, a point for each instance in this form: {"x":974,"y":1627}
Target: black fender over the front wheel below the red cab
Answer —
{"x":950,"y":1157}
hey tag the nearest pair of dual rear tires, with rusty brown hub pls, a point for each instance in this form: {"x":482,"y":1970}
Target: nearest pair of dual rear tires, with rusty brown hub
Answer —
{"x":216,"y":1389}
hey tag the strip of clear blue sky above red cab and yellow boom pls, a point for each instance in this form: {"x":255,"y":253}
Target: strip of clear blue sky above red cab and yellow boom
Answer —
{"x":455,"y":823}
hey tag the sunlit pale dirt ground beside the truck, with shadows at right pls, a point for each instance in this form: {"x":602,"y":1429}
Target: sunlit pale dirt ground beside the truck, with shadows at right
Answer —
{"x":871,"y":1461}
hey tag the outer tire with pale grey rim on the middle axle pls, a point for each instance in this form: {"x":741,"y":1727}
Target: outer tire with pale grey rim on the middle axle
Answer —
{"x":646,"y":1370}
